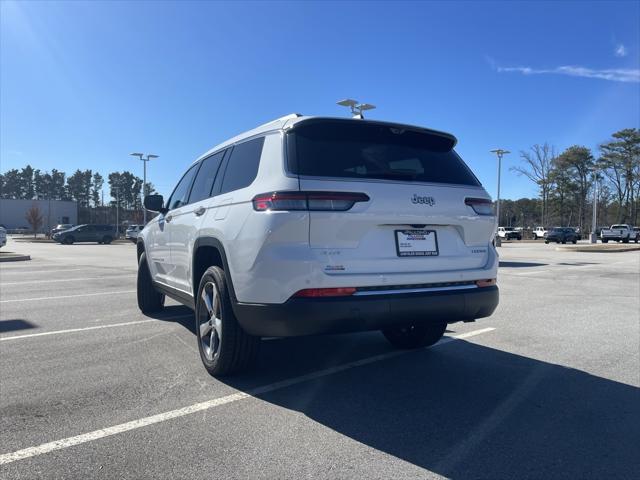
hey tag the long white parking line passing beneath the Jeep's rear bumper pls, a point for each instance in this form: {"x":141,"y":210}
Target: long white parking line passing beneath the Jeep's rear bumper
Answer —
{"x":216,"y":402}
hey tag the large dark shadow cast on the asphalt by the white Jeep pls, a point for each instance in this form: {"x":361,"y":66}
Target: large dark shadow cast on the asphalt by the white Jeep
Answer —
{"x":461,"y":410}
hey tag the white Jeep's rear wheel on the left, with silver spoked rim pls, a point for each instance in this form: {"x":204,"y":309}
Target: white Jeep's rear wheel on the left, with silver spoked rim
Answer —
{"x":224,"y":347}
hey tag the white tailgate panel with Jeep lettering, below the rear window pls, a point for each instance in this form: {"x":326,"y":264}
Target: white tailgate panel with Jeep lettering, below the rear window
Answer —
{"x":367,"y":238}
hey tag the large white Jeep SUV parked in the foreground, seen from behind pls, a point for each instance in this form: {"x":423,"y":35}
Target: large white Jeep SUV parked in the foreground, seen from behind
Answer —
{"x":311,"y":225}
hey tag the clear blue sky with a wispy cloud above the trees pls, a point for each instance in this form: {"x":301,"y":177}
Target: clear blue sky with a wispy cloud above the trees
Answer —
{"x":85,"y":83}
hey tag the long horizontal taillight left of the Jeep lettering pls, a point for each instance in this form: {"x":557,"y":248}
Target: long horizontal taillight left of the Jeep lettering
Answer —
{"x":316,"y":201}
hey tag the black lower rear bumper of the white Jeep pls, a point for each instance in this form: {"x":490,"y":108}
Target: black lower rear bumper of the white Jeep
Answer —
{"x":312,"y":316}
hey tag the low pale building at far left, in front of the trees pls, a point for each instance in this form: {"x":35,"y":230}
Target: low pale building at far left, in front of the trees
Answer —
{"x":13,"y":213}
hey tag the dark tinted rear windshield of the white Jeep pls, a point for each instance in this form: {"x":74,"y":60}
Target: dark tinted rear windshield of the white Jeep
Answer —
{"x":365,"y":150}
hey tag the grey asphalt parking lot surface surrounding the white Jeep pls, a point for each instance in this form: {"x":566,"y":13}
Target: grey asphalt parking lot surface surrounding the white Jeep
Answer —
{"x":545,"y":388}
